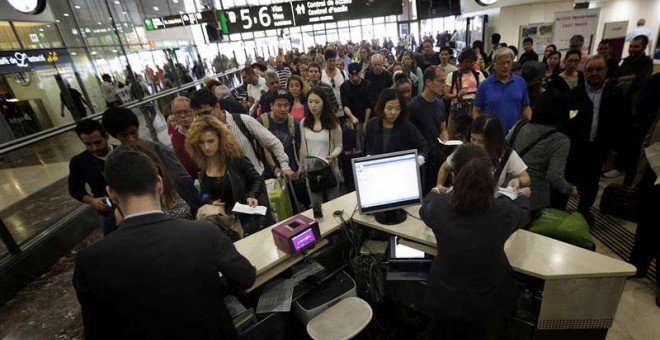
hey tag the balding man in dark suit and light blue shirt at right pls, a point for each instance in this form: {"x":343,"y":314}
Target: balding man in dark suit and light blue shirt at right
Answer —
{"x":598,"y":119}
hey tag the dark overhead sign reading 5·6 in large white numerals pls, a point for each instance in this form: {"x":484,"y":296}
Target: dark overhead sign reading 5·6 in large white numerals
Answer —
{"x":299,"y":13}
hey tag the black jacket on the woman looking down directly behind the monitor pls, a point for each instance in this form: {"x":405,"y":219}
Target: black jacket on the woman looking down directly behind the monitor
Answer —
{"x":405,"y":136}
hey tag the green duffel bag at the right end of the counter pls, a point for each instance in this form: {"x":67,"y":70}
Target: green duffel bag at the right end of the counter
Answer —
{"x":570,"y":228}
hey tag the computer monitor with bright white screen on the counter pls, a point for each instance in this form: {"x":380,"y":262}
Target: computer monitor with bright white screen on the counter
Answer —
{"x":386,"y":183}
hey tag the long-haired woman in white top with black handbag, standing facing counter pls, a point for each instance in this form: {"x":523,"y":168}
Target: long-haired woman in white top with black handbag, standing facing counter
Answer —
{"x":321,"y":140}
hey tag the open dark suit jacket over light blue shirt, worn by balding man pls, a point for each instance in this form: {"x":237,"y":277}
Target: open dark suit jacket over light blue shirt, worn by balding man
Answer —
{"x":613,"y":121}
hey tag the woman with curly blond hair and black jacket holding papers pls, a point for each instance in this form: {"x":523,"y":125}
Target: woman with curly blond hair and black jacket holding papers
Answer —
{"x":226,"y":176}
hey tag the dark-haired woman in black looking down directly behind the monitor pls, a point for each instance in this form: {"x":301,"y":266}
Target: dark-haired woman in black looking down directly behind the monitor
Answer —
{"x":390,"y":130}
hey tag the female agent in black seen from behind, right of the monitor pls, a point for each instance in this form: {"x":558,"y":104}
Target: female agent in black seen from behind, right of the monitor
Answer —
{"x":470,"y":286}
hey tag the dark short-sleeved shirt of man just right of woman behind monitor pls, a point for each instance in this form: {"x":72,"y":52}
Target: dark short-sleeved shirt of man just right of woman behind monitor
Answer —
{"x":427,"y":117}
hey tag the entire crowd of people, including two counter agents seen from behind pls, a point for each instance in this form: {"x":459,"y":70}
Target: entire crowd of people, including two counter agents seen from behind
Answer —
{"x":543,"y":128}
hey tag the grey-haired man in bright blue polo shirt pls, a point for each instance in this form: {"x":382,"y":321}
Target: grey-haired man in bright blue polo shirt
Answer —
{"x":503,"y":94}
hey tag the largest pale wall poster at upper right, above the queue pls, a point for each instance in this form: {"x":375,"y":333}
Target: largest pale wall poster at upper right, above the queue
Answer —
{"x":570,"y":23}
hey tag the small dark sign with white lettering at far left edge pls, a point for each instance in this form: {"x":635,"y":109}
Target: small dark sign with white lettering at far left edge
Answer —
{"x":25,"y":60}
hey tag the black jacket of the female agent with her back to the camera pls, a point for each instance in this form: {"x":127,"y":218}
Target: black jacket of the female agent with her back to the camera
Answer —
{"x":471,"y":277}
